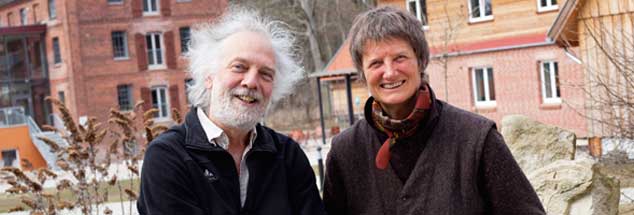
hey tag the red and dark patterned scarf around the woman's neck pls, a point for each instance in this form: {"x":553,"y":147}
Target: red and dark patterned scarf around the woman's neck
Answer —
{"x":396,"y":129}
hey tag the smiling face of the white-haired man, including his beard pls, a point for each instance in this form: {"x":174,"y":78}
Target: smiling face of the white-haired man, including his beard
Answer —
{"x":241,"y":89}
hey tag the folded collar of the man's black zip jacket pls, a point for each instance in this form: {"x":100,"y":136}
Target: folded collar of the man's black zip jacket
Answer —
{"x":196,"y":138}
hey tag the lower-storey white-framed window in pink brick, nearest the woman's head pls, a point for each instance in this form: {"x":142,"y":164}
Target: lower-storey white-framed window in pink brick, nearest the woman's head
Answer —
{"x":483,"y":87}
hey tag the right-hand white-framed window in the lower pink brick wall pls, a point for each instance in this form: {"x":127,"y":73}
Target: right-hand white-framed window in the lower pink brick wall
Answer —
{"x":549,"y":76}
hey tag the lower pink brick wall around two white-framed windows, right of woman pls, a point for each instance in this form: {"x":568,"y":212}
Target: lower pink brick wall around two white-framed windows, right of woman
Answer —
{"x":517,"y":85}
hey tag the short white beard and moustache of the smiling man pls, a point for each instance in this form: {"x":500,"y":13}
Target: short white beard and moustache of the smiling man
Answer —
{"x":225,"y":108}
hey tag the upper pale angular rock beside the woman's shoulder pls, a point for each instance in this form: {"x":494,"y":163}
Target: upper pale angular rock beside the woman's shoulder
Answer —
{"x":534,"y":144}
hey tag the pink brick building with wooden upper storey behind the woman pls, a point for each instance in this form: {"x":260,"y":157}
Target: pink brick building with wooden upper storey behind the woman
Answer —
{"x":491,"y":57}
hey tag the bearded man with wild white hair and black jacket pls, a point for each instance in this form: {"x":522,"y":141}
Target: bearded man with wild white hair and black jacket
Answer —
{"x":220,"y":160}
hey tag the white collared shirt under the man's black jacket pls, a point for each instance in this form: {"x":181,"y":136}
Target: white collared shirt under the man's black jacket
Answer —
{"x":216,"y":136}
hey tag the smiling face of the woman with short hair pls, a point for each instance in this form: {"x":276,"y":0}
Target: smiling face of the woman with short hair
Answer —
{"x":391,"y":71}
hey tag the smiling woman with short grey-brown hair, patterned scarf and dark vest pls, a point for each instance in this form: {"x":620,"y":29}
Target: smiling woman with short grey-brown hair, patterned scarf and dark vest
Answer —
{"x":415,"y":154}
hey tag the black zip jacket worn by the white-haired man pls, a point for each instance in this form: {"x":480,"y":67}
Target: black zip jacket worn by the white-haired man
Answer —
{"x":184,"y":174}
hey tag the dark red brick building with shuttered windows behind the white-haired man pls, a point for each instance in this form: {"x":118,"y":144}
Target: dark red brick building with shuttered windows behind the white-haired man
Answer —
{"x":113,"y":53}
